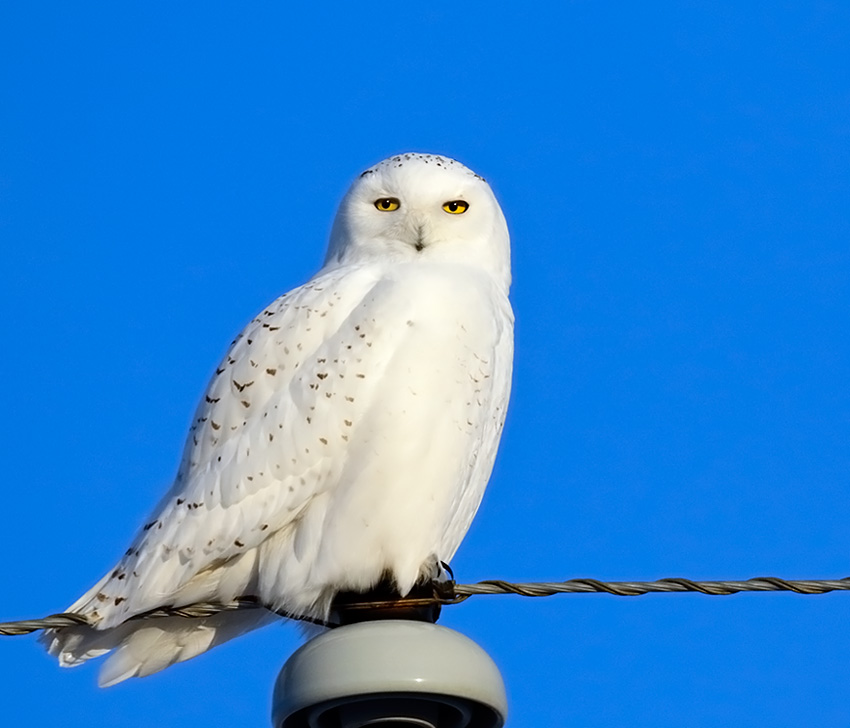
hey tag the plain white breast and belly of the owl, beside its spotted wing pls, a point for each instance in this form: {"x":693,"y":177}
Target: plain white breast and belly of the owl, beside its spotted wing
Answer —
{"x":431,"y":360}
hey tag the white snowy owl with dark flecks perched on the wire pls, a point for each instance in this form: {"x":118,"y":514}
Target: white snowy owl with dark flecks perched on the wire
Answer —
{"x":346,"y":437}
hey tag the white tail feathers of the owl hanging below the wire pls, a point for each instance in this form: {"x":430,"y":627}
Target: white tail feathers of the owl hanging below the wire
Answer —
{"x":144,"y":647}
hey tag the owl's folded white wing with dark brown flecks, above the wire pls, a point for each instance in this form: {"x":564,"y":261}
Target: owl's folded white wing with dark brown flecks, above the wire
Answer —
{"x":237,"y":486}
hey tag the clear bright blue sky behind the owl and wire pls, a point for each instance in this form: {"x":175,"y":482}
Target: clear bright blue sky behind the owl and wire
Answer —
{"x":675,"y":177}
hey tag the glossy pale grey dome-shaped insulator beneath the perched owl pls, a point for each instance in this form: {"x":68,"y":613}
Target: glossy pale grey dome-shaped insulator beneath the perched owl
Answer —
{"x":390,"y":674}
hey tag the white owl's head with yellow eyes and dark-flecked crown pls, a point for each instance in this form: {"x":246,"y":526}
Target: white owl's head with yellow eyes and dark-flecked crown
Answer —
{"x":421,"y":207}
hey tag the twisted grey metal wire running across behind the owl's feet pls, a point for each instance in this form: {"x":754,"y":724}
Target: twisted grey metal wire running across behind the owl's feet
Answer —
{"x":451,"y":593}
